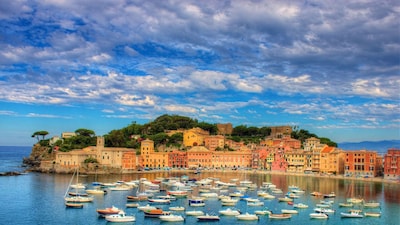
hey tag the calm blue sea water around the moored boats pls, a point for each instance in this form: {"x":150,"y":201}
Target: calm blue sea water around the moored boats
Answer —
{"x":38,"y":198}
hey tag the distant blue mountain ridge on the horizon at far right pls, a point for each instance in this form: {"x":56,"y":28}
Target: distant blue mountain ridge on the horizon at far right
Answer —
{"x":380,"y":146}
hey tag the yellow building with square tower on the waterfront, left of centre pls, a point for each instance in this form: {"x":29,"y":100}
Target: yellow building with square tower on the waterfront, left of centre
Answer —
{"x":150,"y":158}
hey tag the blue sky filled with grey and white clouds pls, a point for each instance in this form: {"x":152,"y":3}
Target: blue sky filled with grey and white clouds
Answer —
{"x":331,"y":67}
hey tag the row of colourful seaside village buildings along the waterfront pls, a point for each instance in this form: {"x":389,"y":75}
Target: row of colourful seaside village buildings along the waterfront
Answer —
{"x":277,"y":152}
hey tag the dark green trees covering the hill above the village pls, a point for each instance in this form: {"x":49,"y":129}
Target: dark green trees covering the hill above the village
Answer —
{"x":131,"y":135}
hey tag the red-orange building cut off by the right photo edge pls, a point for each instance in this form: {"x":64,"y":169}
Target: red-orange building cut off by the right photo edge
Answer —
{"x":392,"y":164}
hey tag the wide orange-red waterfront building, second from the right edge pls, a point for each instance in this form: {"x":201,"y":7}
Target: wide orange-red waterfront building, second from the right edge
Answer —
{"x":360,"y":163}
